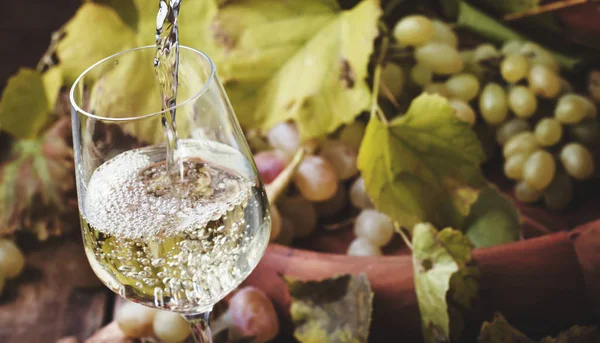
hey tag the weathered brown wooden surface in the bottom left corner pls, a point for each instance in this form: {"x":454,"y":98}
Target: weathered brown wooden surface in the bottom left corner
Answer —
{"x":57,"y":296}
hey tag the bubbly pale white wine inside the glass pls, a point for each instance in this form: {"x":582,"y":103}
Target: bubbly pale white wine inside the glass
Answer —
{"x":179,"y":246}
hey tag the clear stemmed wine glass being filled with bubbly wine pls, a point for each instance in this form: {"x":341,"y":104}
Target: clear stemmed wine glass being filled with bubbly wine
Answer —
{"x":177,"y":245}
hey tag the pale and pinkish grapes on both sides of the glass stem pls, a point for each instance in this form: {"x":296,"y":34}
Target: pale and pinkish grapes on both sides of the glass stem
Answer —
{"x":250,"y":314}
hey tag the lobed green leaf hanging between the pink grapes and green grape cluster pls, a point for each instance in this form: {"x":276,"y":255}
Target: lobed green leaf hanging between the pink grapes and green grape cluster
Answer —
{"x":423,"y":166}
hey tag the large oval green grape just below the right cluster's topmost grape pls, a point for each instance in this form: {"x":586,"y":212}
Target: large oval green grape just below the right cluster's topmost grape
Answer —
{"x":439,"y":58}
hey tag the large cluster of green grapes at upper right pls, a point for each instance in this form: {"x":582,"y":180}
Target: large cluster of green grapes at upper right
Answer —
{"x":547,"y":132}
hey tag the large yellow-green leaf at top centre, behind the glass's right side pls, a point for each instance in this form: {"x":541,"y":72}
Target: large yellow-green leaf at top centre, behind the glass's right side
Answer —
{"x":305,"y":61}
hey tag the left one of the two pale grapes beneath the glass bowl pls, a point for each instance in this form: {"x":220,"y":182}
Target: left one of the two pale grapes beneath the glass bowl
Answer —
{"x":135,"y":320}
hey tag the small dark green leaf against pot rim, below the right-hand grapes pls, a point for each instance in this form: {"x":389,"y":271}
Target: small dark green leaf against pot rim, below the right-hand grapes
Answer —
{"x":493,"y":220}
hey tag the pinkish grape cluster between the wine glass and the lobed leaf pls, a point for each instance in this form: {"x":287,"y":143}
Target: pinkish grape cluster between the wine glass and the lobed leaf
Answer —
{"x":326,"y":183}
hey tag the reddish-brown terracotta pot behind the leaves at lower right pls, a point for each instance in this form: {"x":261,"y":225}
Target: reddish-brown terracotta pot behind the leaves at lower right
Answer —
{"x":540,"y":284}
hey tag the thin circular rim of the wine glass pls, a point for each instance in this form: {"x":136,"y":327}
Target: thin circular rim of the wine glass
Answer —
{"x":144,"y":116}
